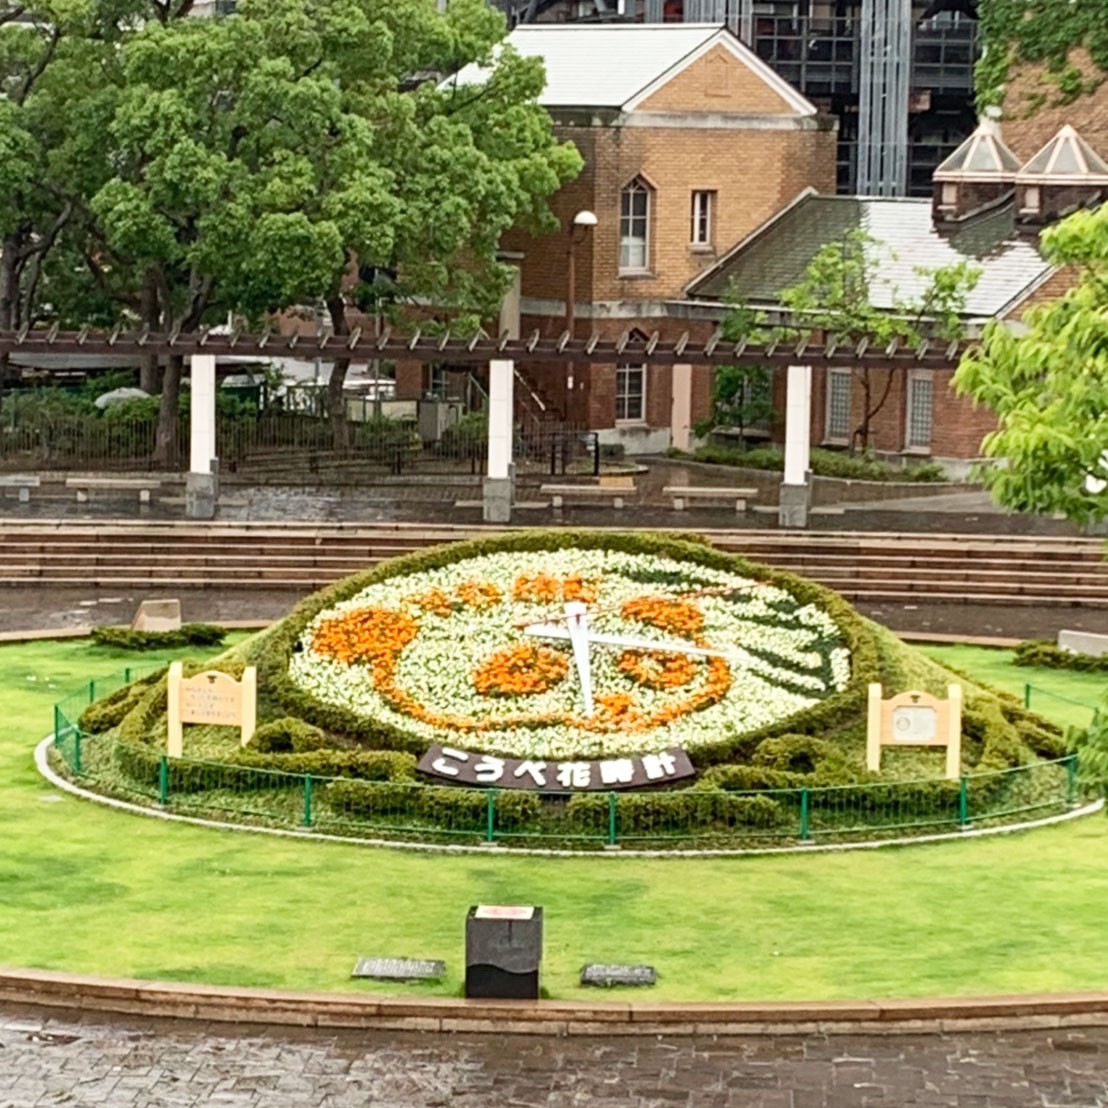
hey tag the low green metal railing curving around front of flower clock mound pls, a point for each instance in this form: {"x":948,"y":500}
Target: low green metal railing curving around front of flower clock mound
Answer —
{"x":680,"y":819}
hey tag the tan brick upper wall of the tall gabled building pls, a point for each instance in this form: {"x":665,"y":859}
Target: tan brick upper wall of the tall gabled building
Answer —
{"x":717,"y":127}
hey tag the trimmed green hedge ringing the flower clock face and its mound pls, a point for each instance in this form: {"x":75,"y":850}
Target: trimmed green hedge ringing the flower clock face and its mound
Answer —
{"x":377,"y":763}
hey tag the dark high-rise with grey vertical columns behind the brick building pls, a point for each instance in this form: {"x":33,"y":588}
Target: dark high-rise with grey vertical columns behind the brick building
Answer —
{"x":898,"y":74}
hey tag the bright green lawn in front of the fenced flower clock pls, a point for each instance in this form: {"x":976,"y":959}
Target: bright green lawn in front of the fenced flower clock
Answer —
{"x":87,"y":889}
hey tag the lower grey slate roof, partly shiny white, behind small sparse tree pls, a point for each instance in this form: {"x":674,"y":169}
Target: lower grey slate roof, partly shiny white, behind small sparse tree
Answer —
{"x":776,"y":257}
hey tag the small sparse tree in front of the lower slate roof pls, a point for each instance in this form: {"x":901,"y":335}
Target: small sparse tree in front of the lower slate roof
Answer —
{"x":835,"y":299}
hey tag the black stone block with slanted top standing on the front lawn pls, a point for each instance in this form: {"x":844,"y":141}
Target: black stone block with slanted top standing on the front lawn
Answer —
{"x":504,"y":950}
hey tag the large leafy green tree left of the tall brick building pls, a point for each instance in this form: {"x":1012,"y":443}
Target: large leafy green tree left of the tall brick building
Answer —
{"x":251,"y":165}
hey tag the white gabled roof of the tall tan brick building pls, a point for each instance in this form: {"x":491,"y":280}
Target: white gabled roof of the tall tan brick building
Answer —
{"x":618,"y":65}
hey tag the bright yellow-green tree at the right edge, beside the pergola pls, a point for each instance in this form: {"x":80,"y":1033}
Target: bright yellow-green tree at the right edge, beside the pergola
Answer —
{"x":1049,"y":386}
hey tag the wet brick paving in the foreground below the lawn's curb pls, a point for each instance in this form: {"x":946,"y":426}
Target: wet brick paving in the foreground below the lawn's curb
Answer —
{"x":97,"y":1062}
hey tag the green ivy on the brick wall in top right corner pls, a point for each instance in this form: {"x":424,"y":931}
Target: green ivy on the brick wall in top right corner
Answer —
{"x":1043,"y":34}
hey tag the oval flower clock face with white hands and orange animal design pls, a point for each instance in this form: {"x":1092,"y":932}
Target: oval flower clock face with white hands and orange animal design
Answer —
{"x":577,"y":653}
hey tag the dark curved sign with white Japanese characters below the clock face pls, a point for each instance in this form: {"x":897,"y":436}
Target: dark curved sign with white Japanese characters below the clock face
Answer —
{"x":631,"y":772}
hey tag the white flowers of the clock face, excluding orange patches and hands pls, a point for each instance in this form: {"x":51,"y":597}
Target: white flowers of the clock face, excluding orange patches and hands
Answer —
{"x":782,"y":658}
